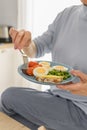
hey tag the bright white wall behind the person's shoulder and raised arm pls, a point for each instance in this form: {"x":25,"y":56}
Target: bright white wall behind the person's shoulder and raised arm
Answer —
{"x":45,"y":11}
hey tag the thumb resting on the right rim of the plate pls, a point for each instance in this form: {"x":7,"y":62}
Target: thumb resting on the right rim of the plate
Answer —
{"x":81,"y":75}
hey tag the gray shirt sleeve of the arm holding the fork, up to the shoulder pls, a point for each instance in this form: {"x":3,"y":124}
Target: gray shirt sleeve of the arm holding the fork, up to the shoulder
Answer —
{"x":46,"y":41}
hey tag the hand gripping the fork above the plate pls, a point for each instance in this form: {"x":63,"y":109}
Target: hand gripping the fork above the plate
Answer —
{"x":20,"y":38}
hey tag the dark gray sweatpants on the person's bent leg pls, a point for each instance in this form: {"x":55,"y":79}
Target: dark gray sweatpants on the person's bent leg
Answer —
{"x":43,"y":108}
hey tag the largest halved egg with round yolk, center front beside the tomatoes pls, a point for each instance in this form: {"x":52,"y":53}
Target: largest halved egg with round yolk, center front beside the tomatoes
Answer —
{"x":40,"y":71}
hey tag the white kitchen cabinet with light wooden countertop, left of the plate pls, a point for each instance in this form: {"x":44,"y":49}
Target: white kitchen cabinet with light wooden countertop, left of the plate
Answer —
{"x":10,"y":59}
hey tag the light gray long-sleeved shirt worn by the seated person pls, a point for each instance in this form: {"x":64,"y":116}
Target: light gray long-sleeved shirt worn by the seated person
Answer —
{"x":66,"y":39}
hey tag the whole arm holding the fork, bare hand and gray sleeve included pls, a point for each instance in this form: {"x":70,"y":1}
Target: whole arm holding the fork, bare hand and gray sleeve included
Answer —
{"x":40,"y":45}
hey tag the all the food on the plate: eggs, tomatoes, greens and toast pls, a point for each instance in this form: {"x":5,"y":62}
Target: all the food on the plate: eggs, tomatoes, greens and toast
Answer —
{"x":44,"y":72}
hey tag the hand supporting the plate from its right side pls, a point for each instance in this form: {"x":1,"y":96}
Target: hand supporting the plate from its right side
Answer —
{"x":79,"y":88}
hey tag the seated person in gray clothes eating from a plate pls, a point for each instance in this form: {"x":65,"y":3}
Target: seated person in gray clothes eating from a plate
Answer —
{"x":63,"y":107}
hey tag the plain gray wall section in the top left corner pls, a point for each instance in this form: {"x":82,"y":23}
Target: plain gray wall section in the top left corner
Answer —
{"x":8,"y":12}
